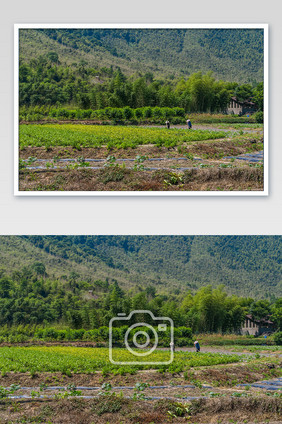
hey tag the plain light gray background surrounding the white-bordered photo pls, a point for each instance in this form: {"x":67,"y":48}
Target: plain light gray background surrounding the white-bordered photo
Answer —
{"x":139,"y":215}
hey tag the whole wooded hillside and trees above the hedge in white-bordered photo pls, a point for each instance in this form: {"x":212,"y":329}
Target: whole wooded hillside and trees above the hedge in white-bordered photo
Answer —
{"x":54,"y":71}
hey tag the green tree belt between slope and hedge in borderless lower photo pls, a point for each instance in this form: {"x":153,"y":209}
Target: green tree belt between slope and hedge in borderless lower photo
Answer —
{"x":30,"y":297}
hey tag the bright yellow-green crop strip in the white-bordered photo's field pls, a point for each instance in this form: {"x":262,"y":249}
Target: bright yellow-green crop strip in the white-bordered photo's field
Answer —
{"x":112,"y":136}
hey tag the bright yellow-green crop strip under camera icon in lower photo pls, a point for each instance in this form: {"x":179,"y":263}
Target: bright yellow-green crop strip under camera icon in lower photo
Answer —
{"x":87,"y":360}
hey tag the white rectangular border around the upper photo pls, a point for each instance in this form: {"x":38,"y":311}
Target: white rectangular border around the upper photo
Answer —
{"x":264,"y":192}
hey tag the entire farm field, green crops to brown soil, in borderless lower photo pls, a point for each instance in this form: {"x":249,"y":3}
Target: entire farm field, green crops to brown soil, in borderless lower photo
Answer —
{"x":58,"y":384}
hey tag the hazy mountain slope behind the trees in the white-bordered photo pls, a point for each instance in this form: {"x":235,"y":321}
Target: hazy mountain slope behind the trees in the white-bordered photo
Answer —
{"x":232,"y":54}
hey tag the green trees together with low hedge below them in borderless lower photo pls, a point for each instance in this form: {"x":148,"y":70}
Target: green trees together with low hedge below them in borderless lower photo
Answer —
{"x":208,"y":310}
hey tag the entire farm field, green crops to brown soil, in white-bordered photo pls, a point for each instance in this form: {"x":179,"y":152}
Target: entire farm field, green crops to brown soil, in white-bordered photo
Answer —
{"x":84,"y":157}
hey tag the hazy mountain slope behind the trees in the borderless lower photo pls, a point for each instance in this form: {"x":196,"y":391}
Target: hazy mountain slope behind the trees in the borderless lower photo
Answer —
{"x":247,"y":265}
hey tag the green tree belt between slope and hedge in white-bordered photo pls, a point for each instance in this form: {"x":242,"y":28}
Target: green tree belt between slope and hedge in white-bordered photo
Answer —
{"x":45,"y":82}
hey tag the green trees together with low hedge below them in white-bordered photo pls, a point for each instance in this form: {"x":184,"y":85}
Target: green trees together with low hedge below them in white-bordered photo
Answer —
{"x":59,"y":92}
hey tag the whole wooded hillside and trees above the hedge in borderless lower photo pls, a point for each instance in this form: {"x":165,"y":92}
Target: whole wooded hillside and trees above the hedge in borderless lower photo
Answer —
{"x":39,"y":287}
